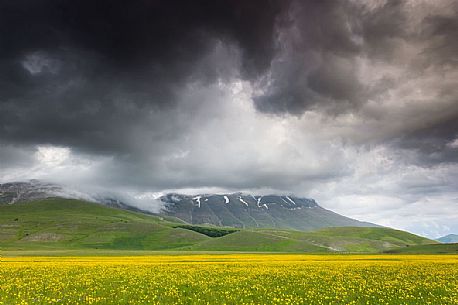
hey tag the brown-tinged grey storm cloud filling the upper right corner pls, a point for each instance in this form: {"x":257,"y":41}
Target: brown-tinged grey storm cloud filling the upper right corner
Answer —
{"x":342,"y":57}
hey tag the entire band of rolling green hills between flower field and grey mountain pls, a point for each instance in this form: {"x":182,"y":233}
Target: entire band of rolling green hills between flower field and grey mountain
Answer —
{"x":76,"y":225}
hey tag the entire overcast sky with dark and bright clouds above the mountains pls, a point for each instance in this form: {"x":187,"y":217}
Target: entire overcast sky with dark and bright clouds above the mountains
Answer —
{"x":353,"y":103}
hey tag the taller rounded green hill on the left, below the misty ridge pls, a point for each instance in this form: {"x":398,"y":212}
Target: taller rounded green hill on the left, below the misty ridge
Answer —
{"x":74,"y":224}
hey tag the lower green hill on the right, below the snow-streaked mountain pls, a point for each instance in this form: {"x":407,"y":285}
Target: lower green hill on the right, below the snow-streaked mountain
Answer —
{"x":340,"y":239}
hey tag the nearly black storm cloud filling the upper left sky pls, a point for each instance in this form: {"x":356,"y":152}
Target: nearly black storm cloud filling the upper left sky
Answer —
{"x":85,"y":73}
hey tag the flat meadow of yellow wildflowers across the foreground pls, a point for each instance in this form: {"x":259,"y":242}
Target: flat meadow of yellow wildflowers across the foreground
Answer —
{"x":231,"y":279}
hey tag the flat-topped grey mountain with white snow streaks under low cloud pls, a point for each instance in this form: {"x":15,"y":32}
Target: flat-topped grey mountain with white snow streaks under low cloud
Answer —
{"x":249,"y":211}
